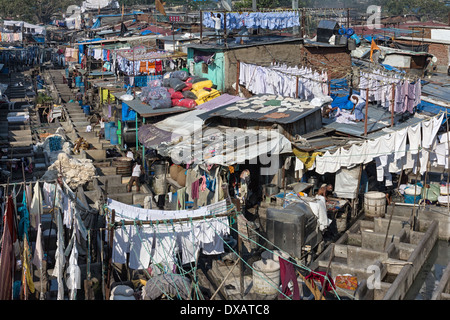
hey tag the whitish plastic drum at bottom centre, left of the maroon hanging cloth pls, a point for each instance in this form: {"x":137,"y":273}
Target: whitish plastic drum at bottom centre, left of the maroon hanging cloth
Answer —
{"x":266,"y":277}
